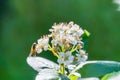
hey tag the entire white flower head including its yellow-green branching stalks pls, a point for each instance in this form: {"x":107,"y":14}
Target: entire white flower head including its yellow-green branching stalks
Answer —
{"x":65,"y":42}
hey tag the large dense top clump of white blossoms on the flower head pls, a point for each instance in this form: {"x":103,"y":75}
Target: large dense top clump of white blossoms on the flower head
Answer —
{"x":66,"y":34}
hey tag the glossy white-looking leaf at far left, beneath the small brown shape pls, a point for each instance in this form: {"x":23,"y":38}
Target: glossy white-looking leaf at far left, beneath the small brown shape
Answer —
{"x":39,"y":63}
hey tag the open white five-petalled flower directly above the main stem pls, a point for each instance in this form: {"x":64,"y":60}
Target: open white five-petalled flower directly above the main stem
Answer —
{"x":65,"y":58}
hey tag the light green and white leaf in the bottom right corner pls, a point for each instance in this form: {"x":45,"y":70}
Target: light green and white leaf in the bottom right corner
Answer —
{"x":112,"y":76}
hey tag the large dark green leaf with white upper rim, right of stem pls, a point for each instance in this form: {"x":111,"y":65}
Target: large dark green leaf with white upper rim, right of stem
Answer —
{"x":97,"y":68}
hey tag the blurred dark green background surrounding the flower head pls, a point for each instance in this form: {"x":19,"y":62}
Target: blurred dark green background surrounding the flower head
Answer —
{"x":22,"y":22}
